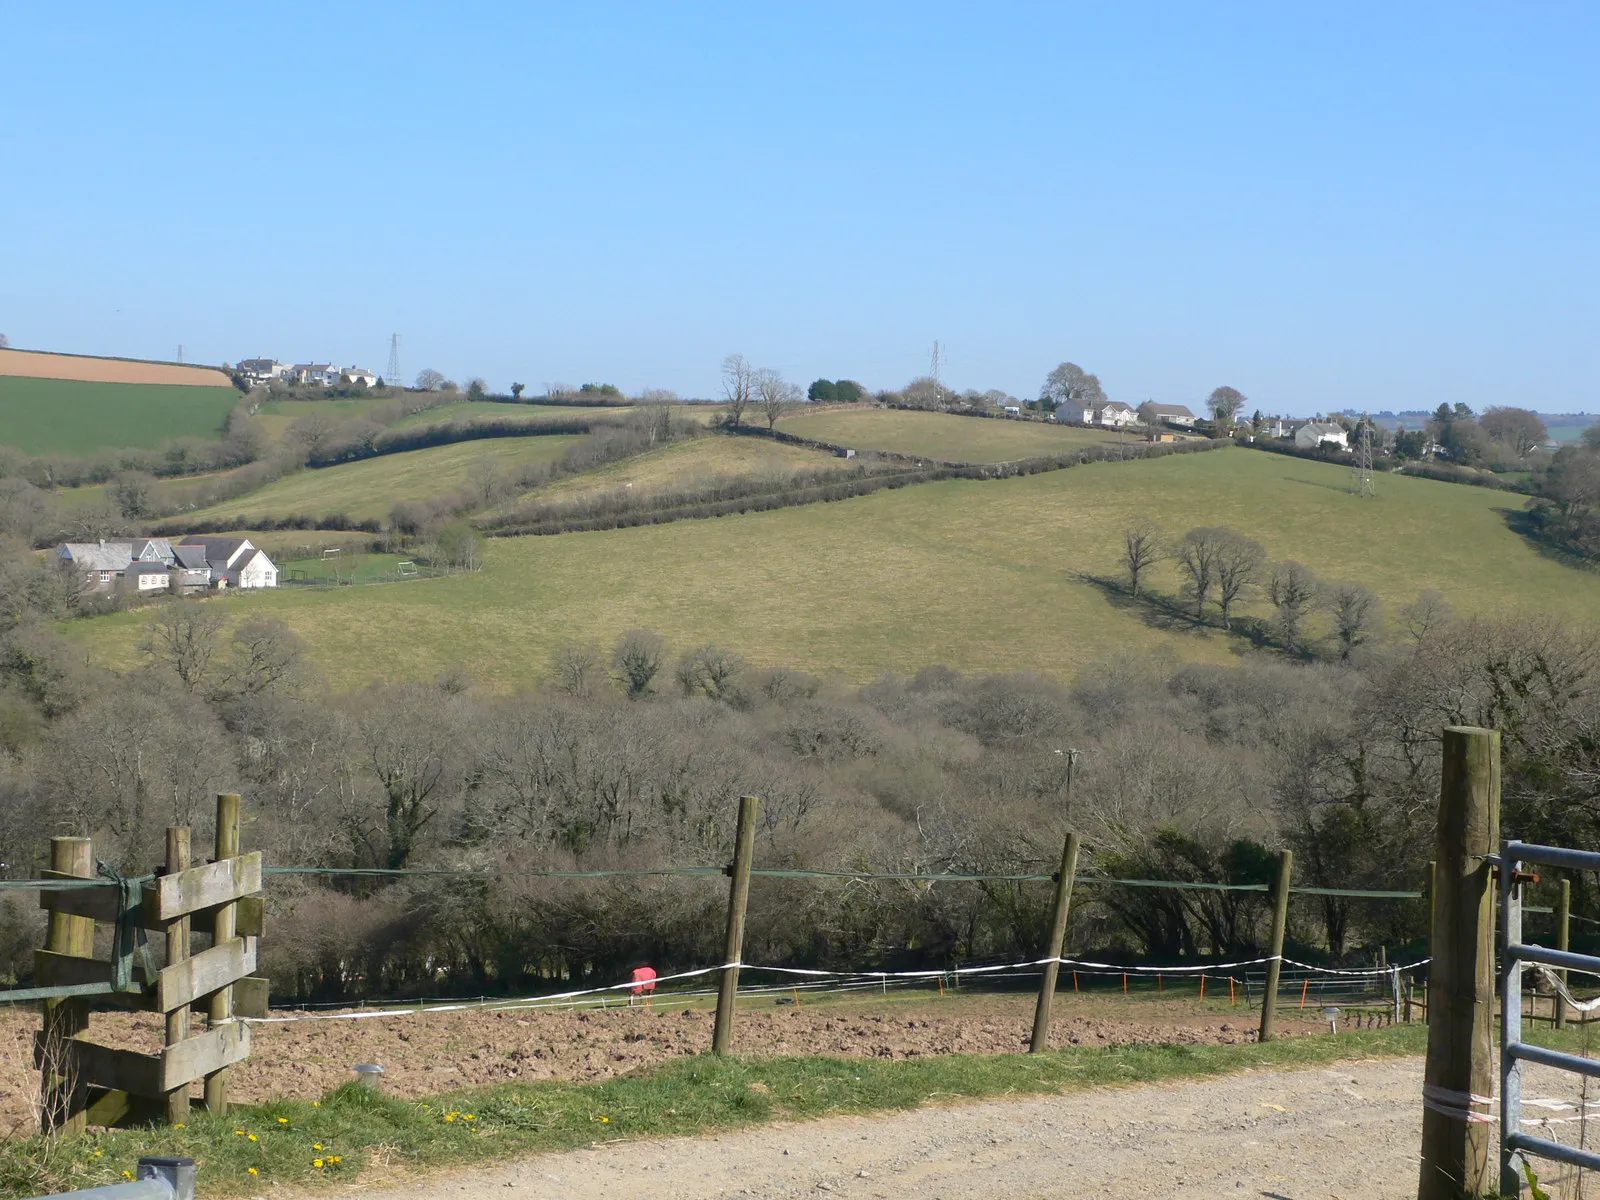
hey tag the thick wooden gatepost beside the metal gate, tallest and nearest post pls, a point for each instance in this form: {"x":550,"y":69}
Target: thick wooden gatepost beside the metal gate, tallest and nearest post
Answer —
{"x":1462,"y":982}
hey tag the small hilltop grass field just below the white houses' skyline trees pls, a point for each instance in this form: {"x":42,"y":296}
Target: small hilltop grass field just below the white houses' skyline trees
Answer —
{"x":958,"y":439}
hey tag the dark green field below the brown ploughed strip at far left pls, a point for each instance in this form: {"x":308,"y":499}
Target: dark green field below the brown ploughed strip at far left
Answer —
{"x":66,"y":417}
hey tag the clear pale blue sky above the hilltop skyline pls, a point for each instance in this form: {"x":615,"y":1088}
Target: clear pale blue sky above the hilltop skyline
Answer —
{"x":1324,"y":207}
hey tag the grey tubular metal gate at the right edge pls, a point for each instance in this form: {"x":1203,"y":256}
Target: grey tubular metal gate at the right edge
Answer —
{"x":1514,"y":1052}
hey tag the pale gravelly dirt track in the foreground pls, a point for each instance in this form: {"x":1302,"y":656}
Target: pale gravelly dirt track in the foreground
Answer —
{"x":1346,"y":1132}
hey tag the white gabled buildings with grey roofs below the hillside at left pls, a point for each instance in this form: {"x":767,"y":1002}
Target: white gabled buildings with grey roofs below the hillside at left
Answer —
{"x":154,"y":566}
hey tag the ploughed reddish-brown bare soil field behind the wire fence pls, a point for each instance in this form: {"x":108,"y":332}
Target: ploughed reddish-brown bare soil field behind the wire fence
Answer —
{"x":431,"y":1054}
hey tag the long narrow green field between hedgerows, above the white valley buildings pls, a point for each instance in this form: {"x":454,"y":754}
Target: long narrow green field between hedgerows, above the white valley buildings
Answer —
{"x":369,"y":489}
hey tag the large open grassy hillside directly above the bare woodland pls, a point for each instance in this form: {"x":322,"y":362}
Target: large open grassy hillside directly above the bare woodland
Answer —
{"x":978,"y":575}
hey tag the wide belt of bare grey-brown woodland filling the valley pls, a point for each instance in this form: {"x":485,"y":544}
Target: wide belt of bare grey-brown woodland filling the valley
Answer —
{"x":634,"y":756}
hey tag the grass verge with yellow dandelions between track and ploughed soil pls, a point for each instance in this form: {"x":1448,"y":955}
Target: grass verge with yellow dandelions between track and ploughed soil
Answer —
{"x":353,"y":1130}
